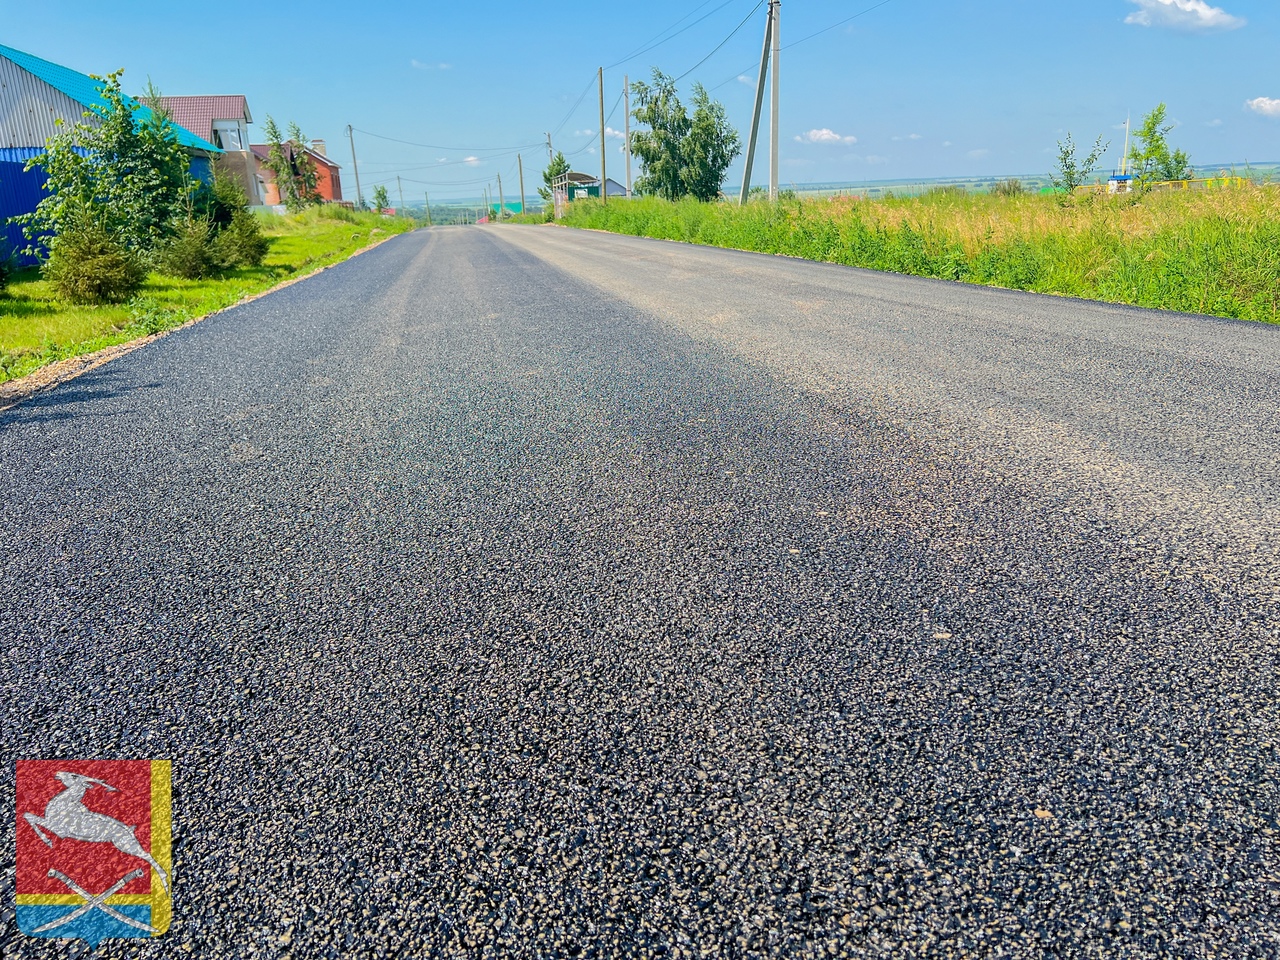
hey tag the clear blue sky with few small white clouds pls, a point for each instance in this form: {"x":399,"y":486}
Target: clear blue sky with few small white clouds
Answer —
{"x":912,"y":89}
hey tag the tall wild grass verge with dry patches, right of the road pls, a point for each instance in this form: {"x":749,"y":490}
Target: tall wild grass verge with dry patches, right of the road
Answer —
{"x":1205,"y":253}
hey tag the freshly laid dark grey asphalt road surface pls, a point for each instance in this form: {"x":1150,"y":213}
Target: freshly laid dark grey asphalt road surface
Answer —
{"x":520,"y":592}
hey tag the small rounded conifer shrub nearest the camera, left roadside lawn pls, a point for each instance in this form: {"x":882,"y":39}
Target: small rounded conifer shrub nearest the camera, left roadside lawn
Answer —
{"x":88,"y":264}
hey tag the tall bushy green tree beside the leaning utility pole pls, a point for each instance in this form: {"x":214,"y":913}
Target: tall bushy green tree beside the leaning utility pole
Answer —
{"x":682,"y":156}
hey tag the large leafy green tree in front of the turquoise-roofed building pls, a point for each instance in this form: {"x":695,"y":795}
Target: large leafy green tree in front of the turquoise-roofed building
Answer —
{"x":125,"y":164}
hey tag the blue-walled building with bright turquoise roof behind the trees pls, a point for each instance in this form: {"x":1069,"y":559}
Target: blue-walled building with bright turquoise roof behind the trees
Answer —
{"x":35,"y":95}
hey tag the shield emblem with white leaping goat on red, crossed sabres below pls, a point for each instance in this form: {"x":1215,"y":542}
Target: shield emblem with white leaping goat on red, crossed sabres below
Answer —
{"x":94,"y":849}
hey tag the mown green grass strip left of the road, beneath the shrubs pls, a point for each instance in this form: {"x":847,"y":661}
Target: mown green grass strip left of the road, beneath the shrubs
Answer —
{"x":36,"y":330}
